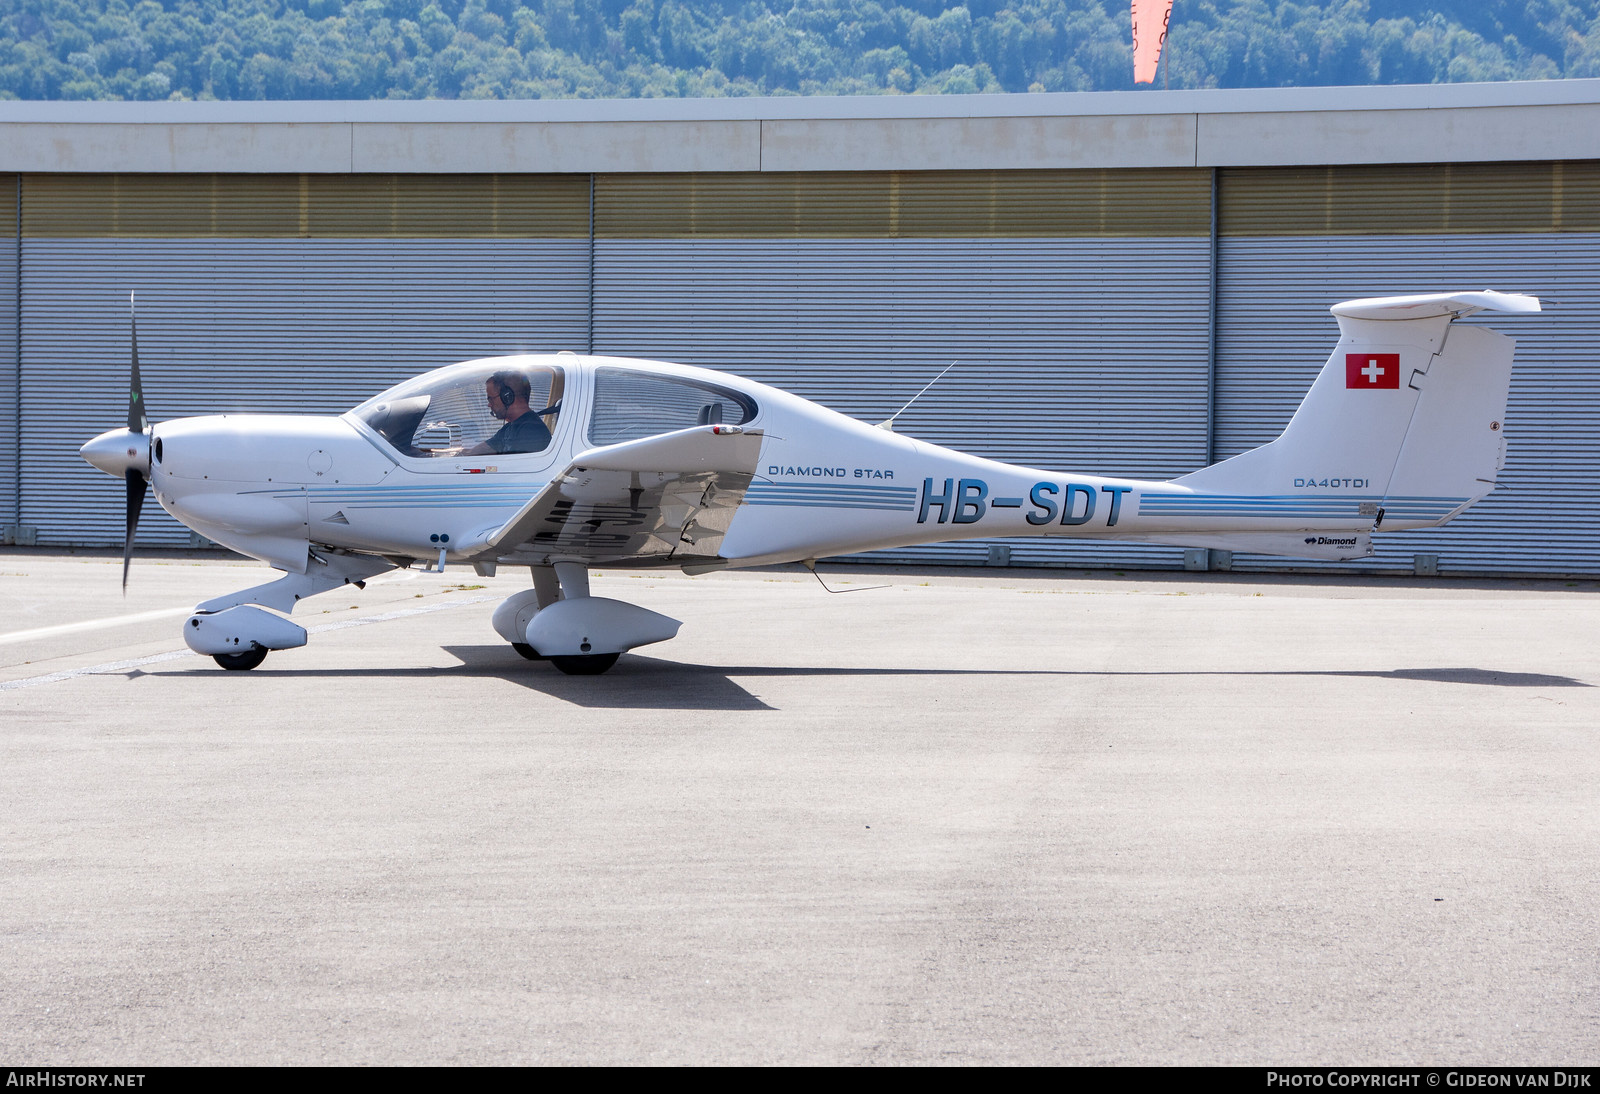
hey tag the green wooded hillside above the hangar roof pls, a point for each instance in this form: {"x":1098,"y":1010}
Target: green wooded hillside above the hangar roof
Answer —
{"x":631,"y":49}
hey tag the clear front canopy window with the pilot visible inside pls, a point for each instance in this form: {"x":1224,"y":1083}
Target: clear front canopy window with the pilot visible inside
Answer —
{"x":470,"y":410}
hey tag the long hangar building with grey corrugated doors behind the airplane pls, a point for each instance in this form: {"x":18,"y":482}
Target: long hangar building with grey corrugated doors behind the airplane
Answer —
{"x":1134,"y":284}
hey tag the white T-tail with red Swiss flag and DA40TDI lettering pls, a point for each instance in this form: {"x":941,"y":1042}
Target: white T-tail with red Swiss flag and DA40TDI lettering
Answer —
{"x":1404,"y":428}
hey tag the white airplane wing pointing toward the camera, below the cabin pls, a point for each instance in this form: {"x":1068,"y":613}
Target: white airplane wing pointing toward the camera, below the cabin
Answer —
{"x":666,"y":498}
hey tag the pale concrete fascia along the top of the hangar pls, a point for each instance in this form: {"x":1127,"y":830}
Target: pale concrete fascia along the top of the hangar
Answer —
{"x":1535,"y":121}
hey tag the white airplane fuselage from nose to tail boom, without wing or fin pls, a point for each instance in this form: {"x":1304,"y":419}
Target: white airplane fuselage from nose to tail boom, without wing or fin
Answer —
{"x":274,"y":485}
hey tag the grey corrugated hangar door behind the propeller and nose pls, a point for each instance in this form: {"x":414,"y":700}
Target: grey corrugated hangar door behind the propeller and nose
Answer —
{"x":300,"y":325}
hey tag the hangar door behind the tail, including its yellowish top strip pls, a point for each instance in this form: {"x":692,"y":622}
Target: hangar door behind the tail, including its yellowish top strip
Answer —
{"x":1386,"y":231}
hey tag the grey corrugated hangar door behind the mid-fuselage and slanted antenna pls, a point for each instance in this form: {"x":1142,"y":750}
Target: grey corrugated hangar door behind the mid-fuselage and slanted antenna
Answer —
{"x":1084,"y":354}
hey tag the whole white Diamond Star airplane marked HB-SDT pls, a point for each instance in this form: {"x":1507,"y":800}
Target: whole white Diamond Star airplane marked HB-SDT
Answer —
{"x":562,"y":463}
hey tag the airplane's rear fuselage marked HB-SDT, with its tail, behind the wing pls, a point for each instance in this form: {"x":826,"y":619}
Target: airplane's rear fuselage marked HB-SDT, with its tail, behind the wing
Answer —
{"x":1402,"y":429}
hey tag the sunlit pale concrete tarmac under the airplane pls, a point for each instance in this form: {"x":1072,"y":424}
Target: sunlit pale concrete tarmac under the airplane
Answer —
{"x":975,"y":818}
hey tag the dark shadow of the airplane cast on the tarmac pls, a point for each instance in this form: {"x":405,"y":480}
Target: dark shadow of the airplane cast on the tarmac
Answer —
{"x":652,"y":684}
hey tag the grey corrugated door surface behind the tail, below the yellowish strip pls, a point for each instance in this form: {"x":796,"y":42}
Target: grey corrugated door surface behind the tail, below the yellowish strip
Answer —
{"x":1278,"y":333}
